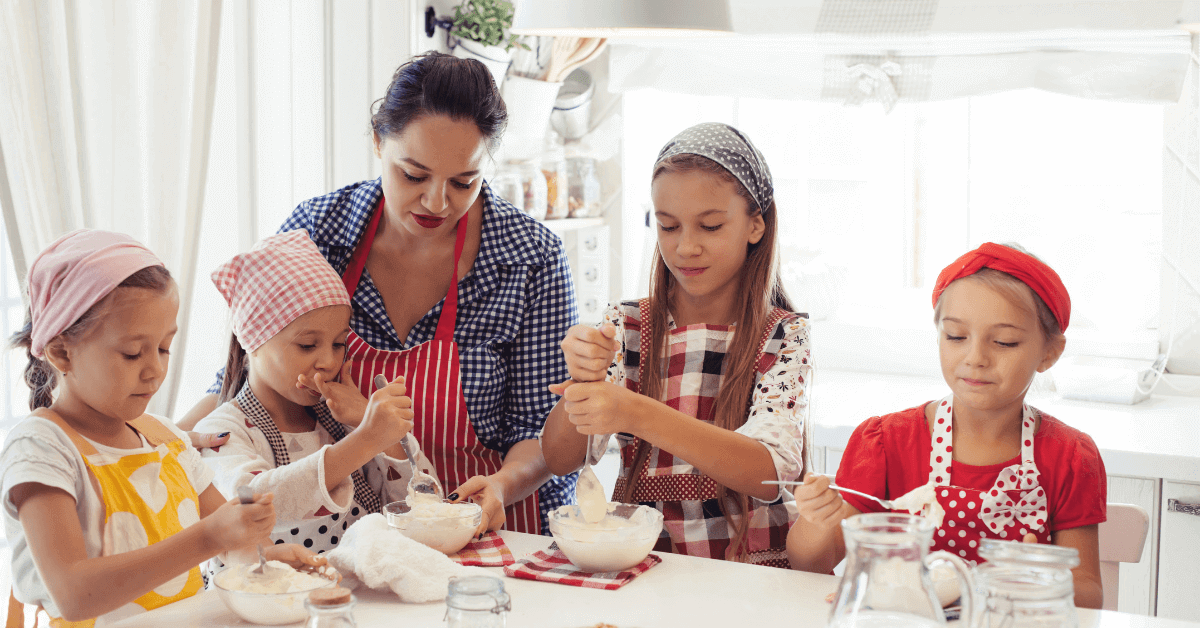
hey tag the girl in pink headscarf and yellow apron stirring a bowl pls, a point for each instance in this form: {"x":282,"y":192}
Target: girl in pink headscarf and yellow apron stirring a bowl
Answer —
{"x":109,"y":511}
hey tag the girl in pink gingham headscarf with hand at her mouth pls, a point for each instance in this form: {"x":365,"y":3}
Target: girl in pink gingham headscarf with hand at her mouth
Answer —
{"x":291,"y":318}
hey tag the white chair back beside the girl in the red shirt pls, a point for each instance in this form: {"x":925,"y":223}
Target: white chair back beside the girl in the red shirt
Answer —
{"x":1138,"y":581}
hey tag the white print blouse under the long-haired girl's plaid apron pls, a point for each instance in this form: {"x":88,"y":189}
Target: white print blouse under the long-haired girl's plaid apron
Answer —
{"x":779,"y":409}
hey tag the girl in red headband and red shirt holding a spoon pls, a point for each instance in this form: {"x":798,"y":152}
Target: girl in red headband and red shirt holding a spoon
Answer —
{"x":1001,"y":315}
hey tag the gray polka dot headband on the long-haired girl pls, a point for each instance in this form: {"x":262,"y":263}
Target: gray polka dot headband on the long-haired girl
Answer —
{"x":733,"y":151}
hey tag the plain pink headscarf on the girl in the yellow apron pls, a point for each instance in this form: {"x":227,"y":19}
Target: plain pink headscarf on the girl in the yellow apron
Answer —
{"x":75,"y":273}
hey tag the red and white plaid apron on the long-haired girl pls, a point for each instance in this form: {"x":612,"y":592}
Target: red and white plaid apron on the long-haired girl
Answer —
{"x":692,"y":515}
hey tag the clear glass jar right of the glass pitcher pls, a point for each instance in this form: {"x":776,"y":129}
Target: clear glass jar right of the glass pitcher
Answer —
{"x":1025,"y":585}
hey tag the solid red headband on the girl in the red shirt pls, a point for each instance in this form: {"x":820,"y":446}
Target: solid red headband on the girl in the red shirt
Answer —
{"x":1035,"y":274}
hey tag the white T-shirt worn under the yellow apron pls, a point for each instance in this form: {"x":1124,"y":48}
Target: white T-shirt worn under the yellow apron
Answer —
{"x":38,"y":451}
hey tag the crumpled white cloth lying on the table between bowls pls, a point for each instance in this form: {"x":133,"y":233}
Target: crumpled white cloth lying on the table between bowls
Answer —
{"x":381,"y":558}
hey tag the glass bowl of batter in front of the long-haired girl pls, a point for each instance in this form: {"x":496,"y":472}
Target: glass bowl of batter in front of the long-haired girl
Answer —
{"x":622,"y":540}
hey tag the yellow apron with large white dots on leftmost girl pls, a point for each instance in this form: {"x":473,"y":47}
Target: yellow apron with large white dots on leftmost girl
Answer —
{"x":142,"y":506}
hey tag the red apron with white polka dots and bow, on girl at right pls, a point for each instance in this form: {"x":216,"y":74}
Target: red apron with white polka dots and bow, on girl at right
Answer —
{"x":1013,"y":507}
